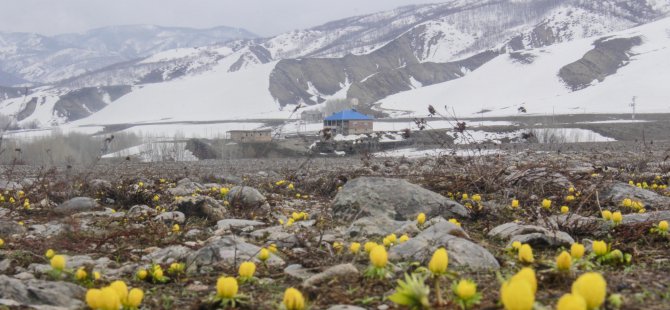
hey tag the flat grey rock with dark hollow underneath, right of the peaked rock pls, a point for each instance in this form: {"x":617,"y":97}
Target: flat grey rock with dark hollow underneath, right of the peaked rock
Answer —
{"x":536,"y":236}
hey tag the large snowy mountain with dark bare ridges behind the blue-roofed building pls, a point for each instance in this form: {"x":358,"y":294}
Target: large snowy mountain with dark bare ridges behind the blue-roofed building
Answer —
{"x":396,"y":62}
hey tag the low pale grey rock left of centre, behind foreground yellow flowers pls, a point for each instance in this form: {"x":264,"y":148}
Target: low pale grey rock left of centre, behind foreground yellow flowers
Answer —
{"x":226,"y":250}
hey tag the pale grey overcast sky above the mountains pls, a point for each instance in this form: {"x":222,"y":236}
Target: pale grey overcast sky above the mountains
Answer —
{"x":264,"y":17}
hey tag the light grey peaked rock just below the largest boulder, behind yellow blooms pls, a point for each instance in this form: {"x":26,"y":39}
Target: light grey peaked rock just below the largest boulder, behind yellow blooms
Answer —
{"x":462,"y":252}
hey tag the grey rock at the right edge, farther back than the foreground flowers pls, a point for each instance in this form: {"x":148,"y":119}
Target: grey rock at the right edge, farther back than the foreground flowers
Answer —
{"x":619,"y":191}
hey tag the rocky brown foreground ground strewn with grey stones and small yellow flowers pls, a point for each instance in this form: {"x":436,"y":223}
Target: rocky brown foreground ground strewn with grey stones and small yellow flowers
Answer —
{"x":117,"y":219}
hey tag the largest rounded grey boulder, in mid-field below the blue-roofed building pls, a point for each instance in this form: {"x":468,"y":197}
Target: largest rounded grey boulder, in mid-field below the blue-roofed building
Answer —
{"x":395,"y":199}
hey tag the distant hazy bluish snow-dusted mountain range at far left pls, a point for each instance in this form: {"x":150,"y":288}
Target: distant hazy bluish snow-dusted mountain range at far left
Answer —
{"x":41,"y":59}
